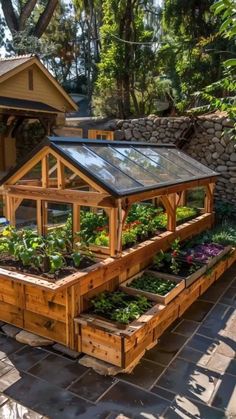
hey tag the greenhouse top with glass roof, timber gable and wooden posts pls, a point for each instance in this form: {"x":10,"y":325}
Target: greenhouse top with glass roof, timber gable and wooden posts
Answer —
{"x":102,"y":174}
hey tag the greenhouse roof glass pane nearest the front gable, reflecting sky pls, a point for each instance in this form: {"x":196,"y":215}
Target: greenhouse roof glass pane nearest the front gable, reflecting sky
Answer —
{"x":100,"y":168}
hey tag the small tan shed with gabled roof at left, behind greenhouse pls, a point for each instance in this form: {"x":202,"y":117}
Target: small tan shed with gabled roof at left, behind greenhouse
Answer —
{"x":27,"y":91}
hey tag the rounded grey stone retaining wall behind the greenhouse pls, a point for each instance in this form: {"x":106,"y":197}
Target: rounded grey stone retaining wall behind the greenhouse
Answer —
{"x":208,"y":142}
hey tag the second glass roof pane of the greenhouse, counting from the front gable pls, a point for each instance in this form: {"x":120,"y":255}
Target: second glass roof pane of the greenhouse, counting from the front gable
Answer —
{"x":127,"y":166}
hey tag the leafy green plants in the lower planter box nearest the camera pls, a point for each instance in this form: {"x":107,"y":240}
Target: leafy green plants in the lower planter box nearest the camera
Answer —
{"x":119,"y":306}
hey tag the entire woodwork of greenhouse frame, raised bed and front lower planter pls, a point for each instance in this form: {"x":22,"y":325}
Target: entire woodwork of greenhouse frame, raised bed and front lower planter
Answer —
{"x":48,"y":308}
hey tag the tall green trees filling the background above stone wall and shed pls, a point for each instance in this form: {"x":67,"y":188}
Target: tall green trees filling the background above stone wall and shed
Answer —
{"x":130,"y":57}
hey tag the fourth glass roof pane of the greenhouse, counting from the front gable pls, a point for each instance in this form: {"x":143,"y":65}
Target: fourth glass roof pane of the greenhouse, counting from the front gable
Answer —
{"x":167,"y":166}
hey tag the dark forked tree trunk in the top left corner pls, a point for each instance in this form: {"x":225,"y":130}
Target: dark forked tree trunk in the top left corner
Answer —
{"x":19,"y":18}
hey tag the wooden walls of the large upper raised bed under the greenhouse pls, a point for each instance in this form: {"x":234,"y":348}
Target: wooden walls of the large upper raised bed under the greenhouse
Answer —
{"x":48,"y":309}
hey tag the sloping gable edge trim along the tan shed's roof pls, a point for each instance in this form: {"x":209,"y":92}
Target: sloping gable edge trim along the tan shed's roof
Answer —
{"x":36,"y":61}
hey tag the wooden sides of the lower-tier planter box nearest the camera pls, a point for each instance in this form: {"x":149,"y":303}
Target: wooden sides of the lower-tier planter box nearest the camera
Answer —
{"x":103,"y":340}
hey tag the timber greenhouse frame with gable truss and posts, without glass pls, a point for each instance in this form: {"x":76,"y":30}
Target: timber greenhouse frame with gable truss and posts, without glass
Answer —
{"x":57,"y":190}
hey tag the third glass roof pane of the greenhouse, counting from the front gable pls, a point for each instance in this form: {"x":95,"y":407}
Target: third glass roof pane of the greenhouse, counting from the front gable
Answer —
{"x":151,"y":166}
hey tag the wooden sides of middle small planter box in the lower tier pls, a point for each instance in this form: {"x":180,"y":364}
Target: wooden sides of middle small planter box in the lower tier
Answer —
{"x":164,"y":299}
